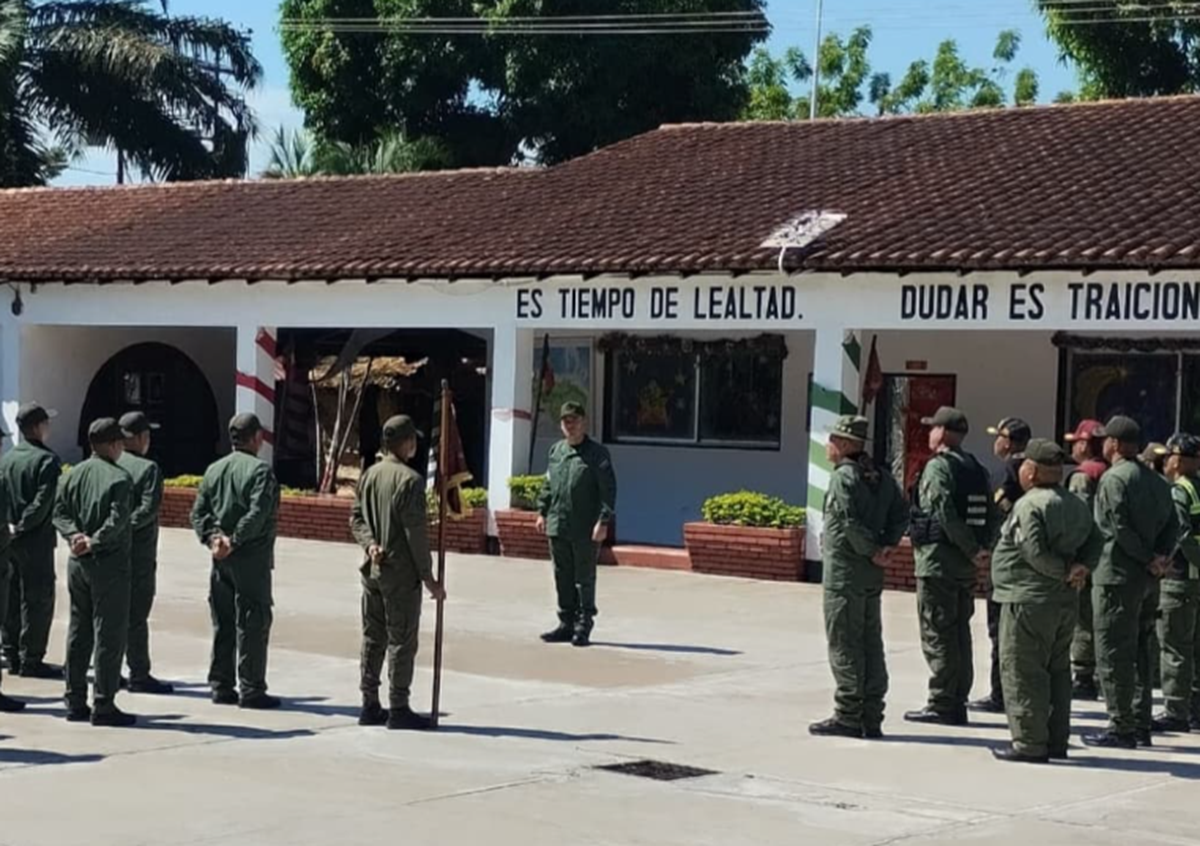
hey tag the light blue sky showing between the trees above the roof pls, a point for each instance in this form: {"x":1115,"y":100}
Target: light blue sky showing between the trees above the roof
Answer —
{"x":904,"y":31}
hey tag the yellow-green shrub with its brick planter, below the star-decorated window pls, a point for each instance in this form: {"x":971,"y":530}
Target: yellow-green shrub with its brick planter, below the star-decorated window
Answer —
{"x":748,"y":535}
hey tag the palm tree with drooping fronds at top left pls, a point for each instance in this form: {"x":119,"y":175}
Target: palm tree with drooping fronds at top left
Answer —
{"x":121,"y":75}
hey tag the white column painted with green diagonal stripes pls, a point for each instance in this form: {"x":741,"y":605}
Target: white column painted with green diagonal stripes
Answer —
{"x":836,"y":392}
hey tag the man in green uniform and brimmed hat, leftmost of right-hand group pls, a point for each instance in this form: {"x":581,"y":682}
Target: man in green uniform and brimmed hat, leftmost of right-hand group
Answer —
{"x":866,"y":517}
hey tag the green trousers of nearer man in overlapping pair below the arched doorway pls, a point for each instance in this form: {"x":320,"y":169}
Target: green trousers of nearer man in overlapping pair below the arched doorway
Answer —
{"x":99,"y":628}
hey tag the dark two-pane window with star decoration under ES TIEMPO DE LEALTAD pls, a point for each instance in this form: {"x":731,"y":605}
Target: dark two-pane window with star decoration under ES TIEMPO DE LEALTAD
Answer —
{"x":715,"y":395}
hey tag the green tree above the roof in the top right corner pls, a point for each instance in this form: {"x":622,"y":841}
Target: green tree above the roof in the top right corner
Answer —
{"x":1126,"y":50}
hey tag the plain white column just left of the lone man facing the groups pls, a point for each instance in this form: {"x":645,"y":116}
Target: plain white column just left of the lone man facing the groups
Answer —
{"x":512,"y":376}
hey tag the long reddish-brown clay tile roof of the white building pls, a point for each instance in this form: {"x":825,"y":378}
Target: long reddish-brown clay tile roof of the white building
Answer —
{"x":1091,"y":187}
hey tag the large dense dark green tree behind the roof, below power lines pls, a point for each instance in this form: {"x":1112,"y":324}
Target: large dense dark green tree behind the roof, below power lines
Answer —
{"x":503,"y":95}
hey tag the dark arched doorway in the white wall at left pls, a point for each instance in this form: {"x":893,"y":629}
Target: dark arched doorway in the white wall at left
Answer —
{"x":166,"y":385}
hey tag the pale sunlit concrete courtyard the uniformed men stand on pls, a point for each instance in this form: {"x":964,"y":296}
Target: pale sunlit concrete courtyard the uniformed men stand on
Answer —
{"x":723,"y":675}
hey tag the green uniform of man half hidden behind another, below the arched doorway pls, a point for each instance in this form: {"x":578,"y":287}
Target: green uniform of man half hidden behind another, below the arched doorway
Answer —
{"x":147,"y":501}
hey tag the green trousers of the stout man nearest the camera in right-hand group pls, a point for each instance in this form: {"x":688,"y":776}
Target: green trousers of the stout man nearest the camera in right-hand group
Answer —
{"x":1035,"y":649}
